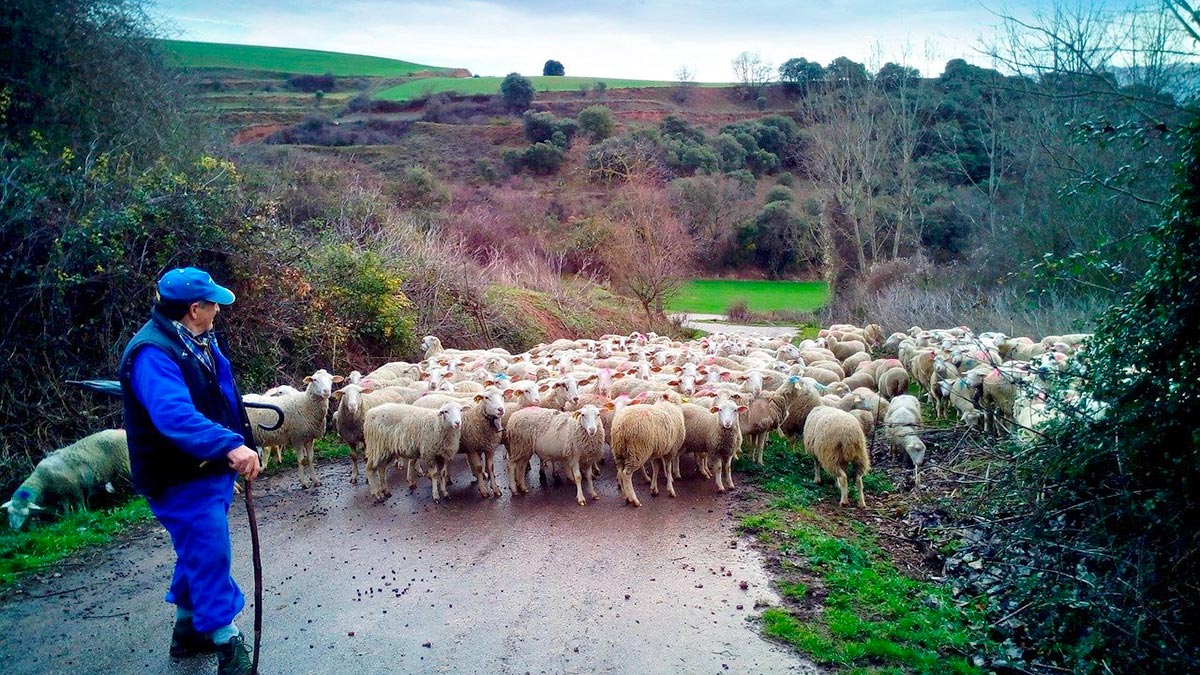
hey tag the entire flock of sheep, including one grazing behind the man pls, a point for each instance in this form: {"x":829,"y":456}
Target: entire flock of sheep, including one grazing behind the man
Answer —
{"x":643,"y":401}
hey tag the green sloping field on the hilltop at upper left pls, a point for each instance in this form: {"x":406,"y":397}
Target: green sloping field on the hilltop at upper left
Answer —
{"x":280,"y":59}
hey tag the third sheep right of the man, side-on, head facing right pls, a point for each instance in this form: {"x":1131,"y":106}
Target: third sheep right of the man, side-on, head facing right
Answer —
{"x":400,"y":432}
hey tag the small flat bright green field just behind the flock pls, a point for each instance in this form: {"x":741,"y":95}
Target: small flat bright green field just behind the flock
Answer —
{"x":715,"y":296}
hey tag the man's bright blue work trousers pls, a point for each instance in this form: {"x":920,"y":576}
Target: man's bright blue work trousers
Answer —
{"x":197,"y":517}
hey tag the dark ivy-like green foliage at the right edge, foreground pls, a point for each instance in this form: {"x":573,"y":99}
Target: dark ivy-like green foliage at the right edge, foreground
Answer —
{"x":1114,"y":533}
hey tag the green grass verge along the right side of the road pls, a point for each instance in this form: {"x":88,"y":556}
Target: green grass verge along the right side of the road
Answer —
{"x":851,"y":610}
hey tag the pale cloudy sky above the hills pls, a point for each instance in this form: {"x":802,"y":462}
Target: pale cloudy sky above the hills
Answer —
{"x":627,"y":39}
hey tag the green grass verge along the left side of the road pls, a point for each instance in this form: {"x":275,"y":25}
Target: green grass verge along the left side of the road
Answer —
{"x":45,"y":543}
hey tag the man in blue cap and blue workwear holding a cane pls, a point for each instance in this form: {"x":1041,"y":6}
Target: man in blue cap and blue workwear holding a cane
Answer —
{"x":189,"y":441}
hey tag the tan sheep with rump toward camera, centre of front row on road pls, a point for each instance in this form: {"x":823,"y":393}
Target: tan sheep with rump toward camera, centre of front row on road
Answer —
{"x":646,"y":433}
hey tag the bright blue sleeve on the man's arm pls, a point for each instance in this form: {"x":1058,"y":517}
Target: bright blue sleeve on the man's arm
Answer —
{"x":160,"y":386}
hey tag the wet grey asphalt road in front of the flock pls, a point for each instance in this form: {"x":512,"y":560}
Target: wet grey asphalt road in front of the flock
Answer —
{"x":536,"y":586}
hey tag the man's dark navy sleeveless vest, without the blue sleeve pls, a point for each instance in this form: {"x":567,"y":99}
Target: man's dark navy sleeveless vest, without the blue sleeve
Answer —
{"x":155,"y":462}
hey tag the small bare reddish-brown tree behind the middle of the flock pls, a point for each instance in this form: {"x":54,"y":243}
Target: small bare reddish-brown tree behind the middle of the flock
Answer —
{"x":650,"y":254}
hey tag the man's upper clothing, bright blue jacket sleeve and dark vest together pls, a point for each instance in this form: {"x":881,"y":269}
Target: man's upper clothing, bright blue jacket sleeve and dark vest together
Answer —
{"x":178,"y":413}
